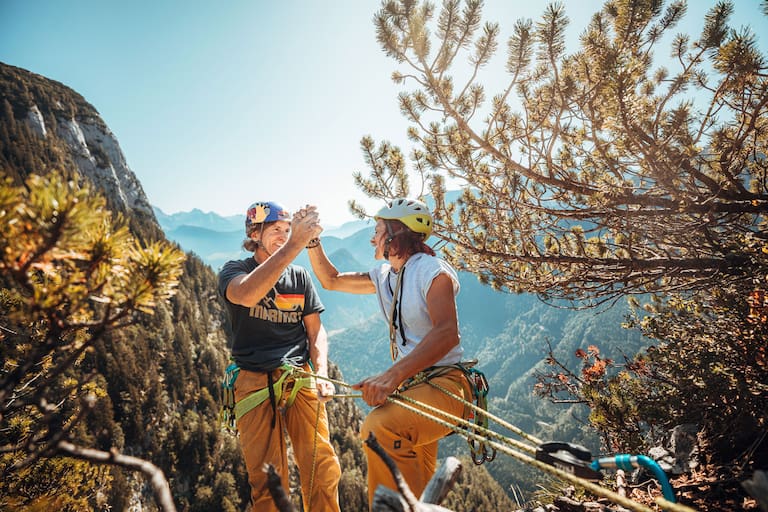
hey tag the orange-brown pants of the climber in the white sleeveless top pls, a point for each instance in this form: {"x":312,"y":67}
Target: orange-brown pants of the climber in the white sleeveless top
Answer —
{"x":409,"y":438}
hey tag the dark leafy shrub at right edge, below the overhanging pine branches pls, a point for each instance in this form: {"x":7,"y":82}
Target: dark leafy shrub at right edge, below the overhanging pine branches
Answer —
{"x":709,"y":368}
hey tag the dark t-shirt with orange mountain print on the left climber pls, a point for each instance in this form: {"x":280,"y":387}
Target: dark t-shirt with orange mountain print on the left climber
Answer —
{"x":272,"y":332}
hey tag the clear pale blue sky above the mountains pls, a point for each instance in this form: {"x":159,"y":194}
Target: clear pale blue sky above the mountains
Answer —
{"x":219,"y":104}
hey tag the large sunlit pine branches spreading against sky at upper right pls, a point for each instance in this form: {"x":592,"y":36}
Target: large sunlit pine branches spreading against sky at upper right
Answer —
{"x":592,"y":174}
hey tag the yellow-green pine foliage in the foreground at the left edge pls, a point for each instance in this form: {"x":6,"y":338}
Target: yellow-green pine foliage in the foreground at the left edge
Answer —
{"x":70,"y":275}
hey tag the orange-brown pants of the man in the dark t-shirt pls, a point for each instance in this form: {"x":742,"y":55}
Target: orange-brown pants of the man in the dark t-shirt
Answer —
{"x":262,"y":444}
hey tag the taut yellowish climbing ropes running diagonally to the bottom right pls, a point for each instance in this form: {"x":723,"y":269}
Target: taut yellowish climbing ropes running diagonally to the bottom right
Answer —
{"x":507,"y":445}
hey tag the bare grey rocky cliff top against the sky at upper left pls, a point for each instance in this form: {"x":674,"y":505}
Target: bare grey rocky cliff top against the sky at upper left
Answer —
{"x":74,"y":130}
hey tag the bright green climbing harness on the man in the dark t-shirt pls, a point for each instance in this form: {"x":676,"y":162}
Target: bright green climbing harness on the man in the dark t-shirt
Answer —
{"x":232,"y":411}
